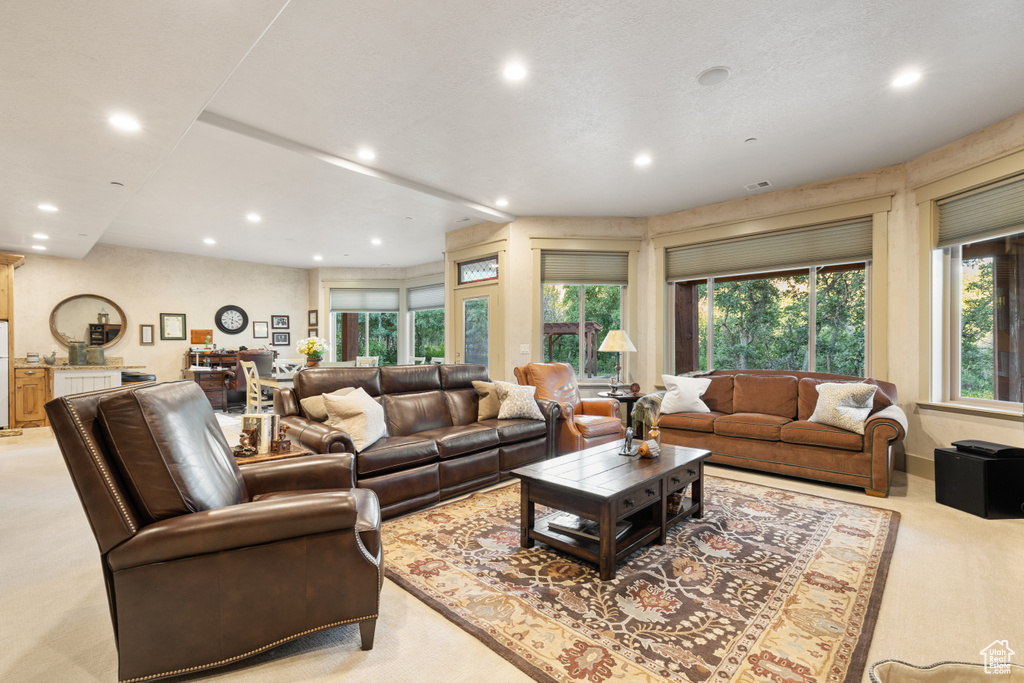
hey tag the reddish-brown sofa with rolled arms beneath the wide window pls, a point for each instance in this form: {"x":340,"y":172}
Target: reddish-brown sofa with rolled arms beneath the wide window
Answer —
{"x":760,"y":420}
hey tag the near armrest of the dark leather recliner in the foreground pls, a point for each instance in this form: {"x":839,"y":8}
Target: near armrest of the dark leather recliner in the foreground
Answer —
{"x":236,"y":527}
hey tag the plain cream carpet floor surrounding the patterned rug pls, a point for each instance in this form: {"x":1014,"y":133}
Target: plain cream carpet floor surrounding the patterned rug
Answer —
{"x":955,"y":586}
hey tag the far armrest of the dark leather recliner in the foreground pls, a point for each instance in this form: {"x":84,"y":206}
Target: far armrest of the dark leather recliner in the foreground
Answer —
{"x":327,"y":472}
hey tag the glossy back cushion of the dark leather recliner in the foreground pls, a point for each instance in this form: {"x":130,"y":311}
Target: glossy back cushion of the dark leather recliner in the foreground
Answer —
{"x":170,"y":450}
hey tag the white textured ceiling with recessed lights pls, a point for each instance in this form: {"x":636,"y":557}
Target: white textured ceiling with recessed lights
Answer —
{"x":421,"y":84}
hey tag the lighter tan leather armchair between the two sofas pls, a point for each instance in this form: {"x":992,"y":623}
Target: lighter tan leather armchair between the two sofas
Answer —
{"x":584,"y":422}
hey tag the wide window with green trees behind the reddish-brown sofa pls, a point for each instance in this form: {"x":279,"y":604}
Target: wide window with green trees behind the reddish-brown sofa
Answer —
{"x":764,"y":321}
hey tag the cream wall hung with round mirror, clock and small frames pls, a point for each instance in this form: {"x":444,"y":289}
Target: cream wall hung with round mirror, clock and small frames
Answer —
{"x":146,"y":284}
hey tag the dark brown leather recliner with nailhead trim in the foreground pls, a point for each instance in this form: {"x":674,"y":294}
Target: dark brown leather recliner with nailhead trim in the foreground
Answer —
{"x":206,"y":563}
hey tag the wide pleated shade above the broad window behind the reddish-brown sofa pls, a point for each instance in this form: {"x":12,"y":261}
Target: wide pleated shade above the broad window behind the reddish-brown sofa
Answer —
{"x":823,"y":245}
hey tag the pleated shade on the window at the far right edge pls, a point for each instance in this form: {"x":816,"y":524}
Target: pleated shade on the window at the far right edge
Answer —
{"x":983,"y":216}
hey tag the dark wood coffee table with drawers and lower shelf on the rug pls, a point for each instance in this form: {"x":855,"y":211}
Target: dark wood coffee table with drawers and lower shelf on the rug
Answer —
{"x":602,"y":486}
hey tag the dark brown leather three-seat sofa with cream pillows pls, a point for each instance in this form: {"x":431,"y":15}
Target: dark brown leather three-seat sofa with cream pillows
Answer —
{"x":436,"y":447}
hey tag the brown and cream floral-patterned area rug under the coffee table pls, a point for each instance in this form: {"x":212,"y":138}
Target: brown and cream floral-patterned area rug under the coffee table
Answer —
{"x":770,"y":586}
